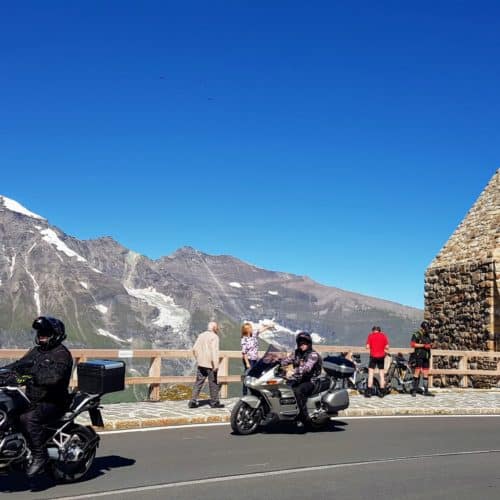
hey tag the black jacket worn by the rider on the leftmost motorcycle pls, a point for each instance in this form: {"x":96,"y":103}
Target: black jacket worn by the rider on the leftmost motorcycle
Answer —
{"x":50,"y":369}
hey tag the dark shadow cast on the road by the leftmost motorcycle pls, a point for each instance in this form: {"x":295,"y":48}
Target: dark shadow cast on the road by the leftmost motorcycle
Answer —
{"x":17,"y":481}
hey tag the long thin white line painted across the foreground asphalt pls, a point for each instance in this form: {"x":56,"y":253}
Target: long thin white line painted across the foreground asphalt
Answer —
{"x":257,"y":475}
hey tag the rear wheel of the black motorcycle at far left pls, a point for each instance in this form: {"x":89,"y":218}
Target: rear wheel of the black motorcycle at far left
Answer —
{"x":69,"y":471}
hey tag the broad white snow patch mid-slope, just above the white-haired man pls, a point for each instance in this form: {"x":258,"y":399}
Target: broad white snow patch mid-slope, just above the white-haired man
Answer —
{"x":170,"y":314}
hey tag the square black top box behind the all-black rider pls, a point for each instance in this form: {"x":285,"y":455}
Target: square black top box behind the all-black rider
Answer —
{"x":101,"y":376}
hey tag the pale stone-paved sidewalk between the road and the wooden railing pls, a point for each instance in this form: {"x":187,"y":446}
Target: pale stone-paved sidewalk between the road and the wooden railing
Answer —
{"x":171,"y":413}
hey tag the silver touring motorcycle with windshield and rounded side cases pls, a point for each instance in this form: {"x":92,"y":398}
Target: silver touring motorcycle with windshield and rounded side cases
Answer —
{"x":271,"y":398}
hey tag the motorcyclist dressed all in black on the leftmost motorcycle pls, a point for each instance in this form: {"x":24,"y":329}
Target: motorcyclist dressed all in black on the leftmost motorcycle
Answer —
{"x":48,"y":366}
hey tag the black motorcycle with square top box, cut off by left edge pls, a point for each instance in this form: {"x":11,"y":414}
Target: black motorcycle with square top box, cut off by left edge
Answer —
{"x":71,"y":447}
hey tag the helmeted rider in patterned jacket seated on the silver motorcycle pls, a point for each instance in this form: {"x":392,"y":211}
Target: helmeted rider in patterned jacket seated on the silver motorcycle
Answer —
{"x":307,"y":367}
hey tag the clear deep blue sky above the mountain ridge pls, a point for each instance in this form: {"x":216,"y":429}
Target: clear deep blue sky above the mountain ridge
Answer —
{"x":340,"y":140}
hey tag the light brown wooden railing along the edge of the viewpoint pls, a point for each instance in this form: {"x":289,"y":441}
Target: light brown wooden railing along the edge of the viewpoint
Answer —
{"x":155,"y":357}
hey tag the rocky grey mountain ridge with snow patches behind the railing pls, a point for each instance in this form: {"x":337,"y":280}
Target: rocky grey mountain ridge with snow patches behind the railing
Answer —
{"x":110,"y":296}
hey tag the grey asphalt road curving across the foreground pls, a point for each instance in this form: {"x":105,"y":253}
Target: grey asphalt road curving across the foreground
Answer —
{"x":399,"y":458}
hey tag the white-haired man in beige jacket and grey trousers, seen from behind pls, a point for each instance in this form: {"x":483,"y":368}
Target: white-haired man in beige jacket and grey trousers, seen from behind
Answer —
{"x":206,"y":353}
